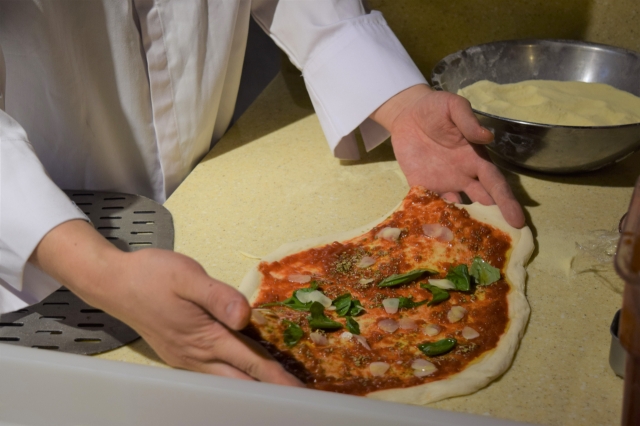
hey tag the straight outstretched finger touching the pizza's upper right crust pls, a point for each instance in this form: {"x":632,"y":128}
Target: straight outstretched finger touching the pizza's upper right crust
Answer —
{"x":498,"y":188}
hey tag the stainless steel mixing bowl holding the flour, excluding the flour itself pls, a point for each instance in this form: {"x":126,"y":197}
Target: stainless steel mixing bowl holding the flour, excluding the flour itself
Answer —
{"x":543,"y":147}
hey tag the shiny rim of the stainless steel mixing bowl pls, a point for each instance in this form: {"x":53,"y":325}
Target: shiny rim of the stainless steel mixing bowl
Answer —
{"x":444,"y":61}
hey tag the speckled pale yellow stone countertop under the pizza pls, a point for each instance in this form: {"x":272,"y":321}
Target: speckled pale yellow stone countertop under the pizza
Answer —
{"x":272,"y":180}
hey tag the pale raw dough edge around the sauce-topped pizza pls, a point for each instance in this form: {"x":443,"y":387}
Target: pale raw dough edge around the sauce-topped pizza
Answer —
{"x":482,"y":370}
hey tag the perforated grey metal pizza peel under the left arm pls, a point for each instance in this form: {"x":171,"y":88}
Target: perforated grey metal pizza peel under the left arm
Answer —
{"x":62,"y":321}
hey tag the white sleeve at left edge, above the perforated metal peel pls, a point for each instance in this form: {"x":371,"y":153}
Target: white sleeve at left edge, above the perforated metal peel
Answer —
{"x":30,"y":206}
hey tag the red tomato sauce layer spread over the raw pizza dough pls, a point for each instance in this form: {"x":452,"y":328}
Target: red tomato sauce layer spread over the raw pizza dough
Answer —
{"x":343,"y":365}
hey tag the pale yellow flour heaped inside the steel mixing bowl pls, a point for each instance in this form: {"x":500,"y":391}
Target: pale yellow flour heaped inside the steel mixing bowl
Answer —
{"x":564,"y":103}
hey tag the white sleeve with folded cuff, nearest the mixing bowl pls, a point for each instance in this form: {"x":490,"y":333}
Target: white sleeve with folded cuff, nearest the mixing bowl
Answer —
{"x":351,"y":62}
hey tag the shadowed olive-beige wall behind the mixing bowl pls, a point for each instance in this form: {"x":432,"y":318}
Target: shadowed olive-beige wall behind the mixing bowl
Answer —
{"x":430,"y":30}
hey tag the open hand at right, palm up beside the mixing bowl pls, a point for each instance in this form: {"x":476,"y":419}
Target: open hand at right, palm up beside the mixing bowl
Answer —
{"x":430,"y":132}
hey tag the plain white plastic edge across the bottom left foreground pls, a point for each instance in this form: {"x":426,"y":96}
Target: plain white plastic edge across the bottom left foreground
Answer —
{"x":39,"y":387}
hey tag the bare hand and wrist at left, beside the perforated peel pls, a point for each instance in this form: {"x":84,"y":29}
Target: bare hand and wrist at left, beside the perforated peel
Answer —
{"x":190,"y":319}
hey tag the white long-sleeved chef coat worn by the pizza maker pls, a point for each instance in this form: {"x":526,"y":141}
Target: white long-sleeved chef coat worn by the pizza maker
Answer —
{"x":128,"y":95}
